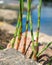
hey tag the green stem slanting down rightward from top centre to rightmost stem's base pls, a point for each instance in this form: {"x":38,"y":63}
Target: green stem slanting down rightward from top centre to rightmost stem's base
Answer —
{"x":31,"y":28}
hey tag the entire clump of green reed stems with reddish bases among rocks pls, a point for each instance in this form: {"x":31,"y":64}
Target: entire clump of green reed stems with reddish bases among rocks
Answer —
{"x":18,"y":32}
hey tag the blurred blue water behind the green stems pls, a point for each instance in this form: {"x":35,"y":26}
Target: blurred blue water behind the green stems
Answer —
{"x":46,"y":19}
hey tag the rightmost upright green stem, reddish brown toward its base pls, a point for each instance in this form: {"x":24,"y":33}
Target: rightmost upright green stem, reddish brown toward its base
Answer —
{"x":38,"y":29}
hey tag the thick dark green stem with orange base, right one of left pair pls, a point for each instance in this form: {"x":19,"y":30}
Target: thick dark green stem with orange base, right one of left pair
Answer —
{"x":20,"y":26}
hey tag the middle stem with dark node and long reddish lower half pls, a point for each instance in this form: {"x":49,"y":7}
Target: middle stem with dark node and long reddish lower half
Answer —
{"x":24,"y":47}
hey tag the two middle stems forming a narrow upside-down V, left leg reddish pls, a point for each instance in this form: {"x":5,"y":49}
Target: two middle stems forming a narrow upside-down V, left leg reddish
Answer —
{"x":30,"y":22}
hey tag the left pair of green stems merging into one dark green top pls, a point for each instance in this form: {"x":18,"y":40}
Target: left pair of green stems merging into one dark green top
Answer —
{"x":18,"y":26}
